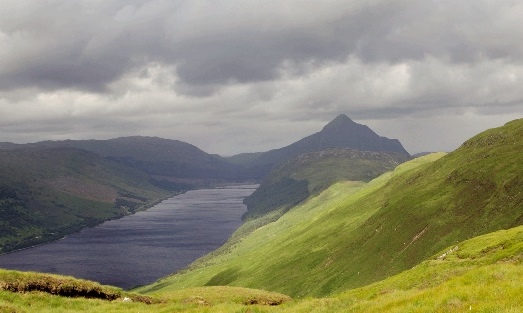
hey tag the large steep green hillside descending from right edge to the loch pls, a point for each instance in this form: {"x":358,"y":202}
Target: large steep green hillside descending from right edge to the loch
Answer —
{"x":348,"y":237}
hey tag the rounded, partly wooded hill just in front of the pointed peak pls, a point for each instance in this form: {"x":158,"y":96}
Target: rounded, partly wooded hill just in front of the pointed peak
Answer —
{"x":310,"y":173}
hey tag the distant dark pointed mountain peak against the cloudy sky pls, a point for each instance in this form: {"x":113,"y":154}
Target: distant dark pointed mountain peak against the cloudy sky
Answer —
{"x":341,"y":132}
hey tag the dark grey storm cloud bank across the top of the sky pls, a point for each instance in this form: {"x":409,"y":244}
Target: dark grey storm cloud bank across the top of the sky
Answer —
{"x":89,"y":44}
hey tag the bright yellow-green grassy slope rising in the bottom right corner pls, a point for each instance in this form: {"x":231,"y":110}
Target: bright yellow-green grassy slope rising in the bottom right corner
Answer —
{"x":480,"y":275}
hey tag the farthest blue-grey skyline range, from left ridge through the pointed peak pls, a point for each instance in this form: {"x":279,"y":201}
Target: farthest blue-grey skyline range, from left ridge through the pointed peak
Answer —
{"x":184,"y":165}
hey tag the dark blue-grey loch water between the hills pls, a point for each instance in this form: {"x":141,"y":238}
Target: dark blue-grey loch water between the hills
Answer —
{"x":140,"y":248}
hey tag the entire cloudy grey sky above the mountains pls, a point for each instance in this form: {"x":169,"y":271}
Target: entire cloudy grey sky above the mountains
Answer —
{"x":232,"y":76}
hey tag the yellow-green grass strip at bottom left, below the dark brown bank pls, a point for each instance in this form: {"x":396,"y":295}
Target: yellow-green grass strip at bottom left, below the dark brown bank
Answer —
{"x":209,"y":299}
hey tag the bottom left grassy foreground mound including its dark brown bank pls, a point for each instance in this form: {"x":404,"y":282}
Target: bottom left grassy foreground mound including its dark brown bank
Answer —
{"x":36,"y":292}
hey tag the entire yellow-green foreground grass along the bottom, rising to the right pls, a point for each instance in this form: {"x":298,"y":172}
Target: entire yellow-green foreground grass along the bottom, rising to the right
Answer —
{"x":482,"y":274}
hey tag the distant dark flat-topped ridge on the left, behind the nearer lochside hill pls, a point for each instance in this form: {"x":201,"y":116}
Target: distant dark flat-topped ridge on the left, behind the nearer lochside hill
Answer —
{"x":167,"y":160}
